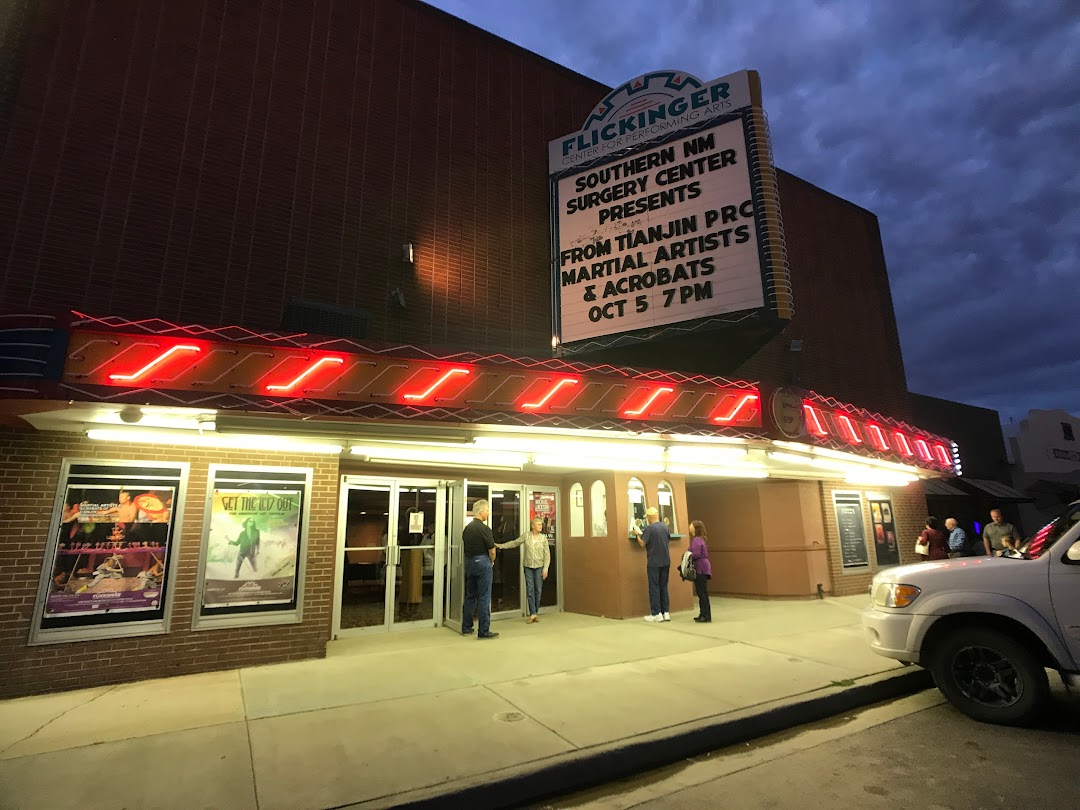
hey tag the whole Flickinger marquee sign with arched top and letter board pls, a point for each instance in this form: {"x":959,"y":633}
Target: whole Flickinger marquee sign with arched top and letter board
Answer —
{"x":665,"y":213}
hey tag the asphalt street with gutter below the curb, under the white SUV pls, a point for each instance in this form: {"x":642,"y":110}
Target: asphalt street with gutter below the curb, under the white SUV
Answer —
{"x":914,"y":752}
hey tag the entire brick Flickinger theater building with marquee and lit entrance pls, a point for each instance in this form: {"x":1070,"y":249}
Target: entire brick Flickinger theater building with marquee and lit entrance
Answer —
{"x":287,"y":288}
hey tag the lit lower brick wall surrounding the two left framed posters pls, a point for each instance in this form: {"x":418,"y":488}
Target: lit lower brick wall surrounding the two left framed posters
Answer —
{"x":29,"y":482}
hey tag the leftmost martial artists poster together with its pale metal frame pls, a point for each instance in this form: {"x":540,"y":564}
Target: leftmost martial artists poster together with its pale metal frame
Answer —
{"x":112,"y":553}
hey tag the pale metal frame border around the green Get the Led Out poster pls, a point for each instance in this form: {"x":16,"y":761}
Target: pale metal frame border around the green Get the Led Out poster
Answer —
{"x":261,"y":618}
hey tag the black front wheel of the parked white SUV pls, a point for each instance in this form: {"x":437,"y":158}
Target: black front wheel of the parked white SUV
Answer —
{"x":990,"y":677}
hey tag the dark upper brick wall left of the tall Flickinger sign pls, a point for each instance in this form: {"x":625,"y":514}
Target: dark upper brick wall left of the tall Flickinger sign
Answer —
{"x":205,"y":163}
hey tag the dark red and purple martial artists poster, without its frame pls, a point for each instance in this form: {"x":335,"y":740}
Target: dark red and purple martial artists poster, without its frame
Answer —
{"x":112,"y":549}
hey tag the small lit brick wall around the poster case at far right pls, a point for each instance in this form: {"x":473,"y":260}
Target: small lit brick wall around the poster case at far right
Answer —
{"x":910,"y":516}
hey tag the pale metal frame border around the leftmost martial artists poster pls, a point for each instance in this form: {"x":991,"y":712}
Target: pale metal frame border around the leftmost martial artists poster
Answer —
{"x":137,"y":628}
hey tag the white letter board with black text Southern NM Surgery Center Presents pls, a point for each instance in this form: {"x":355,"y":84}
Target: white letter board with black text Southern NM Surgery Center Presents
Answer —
{"x":659,"y":237}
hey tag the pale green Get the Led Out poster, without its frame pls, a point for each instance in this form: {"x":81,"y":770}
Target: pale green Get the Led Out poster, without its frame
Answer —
{"x":253,"y":548}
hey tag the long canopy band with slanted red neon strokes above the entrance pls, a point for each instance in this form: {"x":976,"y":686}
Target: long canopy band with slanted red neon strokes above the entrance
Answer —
{"x":272,"y":374}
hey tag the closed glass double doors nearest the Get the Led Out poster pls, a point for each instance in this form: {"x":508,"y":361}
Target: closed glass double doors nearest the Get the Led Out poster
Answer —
{"x":391,"y":545}
